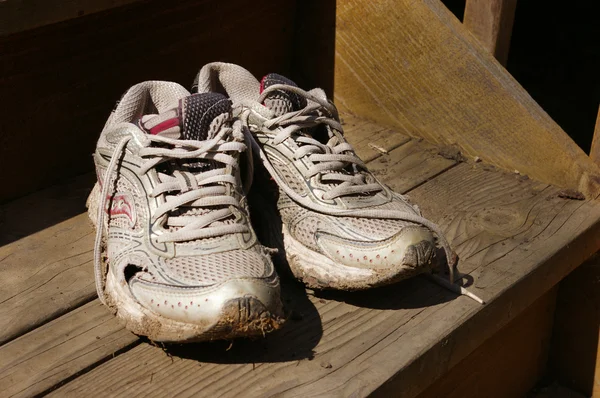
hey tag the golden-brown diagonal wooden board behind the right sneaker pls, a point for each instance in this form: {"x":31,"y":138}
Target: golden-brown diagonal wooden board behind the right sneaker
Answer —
{"x":413,"y":65}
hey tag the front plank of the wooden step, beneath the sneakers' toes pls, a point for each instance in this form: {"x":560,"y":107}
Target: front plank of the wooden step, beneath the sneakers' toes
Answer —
{"x":515,"y":237}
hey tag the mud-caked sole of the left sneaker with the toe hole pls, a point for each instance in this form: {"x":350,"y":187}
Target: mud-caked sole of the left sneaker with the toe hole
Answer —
{"x":245,"y":316}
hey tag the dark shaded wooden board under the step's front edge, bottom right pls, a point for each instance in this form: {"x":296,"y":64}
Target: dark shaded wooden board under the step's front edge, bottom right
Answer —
{"x":509,"y":364}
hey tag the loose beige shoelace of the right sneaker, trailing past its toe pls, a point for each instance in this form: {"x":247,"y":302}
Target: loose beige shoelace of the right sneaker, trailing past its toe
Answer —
{"x":331,"y":162}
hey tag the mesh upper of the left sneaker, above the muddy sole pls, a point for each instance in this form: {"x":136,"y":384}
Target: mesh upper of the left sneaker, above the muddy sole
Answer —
{"x":176,"y":206}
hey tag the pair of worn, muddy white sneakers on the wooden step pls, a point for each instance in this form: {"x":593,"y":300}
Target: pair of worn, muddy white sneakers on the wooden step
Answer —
{"x":176,"y":255}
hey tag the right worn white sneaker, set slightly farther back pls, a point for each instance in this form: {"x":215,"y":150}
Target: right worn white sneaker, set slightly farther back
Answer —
{"x":342,"y":228}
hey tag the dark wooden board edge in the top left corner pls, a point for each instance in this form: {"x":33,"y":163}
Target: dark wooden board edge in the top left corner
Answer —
{"x":20,"y":15}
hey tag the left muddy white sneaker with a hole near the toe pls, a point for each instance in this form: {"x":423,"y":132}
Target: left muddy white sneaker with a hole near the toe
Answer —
{"x":176,"y":258}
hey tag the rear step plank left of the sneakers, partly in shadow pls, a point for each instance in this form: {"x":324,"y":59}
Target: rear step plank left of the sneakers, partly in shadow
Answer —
{"x":45,"y":260}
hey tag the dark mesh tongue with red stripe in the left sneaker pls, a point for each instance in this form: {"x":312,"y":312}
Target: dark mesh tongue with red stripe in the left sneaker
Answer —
{"x":197,"y":117}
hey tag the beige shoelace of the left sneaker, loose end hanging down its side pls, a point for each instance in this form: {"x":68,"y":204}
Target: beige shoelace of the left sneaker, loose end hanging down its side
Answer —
{"x":194,"y":190}
